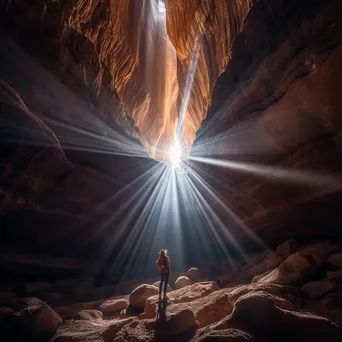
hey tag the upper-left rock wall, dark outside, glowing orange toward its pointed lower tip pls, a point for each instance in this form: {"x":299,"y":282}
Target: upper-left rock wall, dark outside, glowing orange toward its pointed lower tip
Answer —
{"x":115,"y":54}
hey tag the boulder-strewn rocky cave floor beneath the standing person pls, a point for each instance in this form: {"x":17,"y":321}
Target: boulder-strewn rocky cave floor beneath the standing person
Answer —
{"x":291,"y":294}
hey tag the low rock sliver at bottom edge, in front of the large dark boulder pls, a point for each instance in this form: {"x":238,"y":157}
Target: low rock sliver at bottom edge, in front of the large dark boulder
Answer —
{"x":228,"y":335}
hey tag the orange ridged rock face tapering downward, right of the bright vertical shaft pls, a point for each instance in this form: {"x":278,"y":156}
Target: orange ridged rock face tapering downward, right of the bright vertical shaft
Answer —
{"x":202,"y":33}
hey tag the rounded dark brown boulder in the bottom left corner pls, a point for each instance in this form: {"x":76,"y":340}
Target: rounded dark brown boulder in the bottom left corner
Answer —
{"x":35,"y":318}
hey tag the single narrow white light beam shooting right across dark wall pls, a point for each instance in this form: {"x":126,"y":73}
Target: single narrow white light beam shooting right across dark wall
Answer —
{"x":304,"y":177}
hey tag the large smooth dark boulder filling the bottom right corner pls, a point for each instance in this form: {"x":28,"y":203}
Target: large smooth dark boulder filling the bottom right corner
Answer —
{"x":269,"y":321}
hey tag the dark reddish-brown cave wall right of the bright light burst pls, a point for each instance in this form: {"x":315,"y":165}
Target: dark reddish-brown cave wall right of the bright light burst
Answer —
{"x":275,"y":122}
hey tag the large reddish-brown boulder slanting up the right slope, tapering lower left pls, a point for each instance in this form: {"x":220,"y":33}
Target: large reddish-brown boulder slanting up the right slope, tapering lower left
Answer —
{"x":294,"y":270}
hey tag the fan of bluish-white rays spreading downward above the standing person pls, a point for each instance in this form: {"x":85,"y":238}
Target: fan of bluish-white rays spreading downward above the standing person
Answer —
{"x":161,"y":201}
